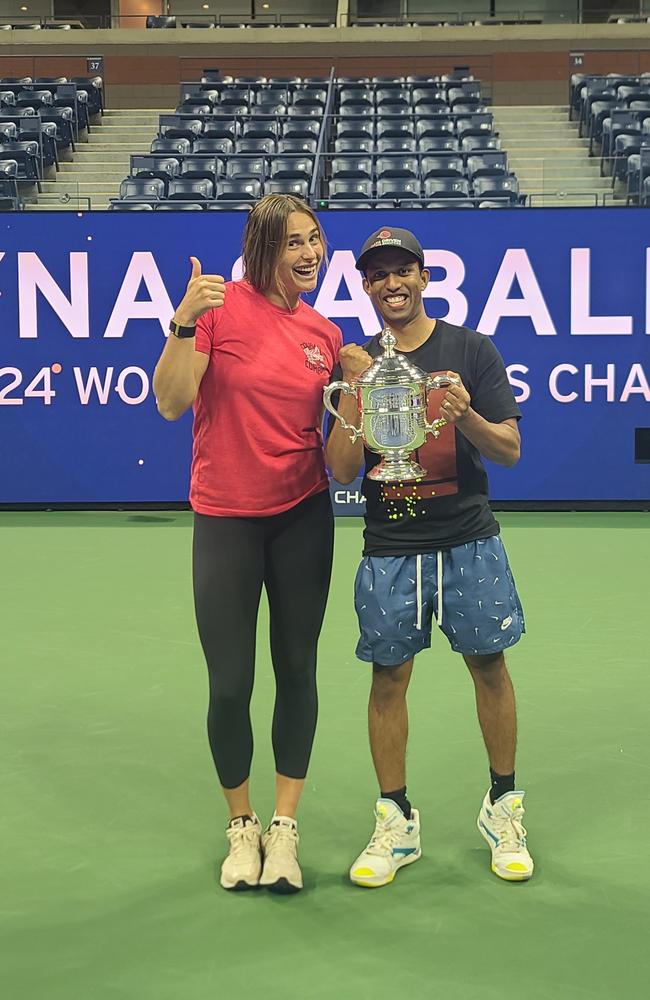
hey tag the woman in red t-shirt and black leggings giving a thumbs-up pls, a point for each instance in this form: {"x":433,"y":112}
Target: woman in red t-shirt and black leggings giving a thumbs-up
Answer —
{"x":253,"y":359}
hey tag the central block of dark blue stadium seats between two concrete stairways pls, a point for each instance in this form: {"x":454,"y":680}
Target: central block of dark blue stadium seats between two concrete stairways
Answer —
{"x":208,"y":155}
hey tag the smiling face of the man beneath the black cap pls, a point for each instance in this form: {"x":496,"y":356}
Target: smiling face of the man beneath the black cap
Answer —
{"x":395,"y":283}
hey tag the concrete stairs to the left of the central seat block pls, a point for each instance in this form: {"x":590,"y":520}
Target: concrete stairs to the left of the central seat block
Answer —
{"x":93,"y":176}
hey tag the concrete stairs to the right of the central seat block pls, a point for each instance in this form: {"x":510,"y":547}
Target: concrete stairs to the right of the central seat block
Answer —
{"x":552,"y":164}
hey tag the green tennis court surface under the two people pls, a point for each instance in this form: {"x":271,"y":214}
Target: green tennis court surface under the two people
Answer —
{"x":112,"y":820}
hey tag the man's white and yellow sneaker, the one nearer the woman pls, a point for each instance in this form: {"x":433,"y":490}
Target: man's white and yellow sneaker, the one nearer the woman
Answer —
{"x":395,"y":843}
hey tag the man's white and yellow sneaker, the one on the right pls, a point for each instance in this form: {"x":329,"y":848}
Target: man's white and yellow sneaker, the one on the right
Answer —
{"x":502,"y":826}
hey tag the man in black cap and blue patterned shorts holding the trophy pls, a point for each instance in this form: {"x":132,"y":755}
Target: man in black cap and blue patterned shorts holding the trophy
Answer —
{"x":432,"y":548}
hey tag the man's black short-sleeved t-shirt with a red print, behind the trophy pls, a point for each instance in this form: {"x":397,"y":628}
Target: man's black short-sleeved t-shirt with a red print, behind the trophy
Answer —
{"x":450,"y":505}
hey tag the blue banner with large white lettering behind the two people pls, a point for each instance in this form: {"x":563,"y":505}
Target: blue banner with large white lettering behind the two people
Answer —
{"x":85,"y":301}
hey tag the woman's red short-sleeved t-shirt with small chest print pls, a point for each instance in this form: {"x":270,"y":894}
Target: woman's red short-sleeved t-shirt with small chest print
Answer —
{"x":257,"y":442}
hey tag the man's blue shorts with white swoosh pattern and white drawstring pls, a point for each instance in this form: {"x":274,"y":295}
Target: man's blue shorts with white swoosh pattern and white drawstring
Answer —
{"x":397,"y":597}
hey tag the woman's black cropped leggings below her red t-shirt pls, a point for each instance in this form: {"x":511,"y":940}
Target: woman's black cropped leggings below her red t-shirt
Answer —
{"x":291,"y":555}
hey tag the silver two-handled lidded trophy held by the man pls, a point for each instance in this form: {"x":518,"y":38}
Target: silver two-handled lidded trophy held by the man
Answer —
{"x":392,"y":402}
